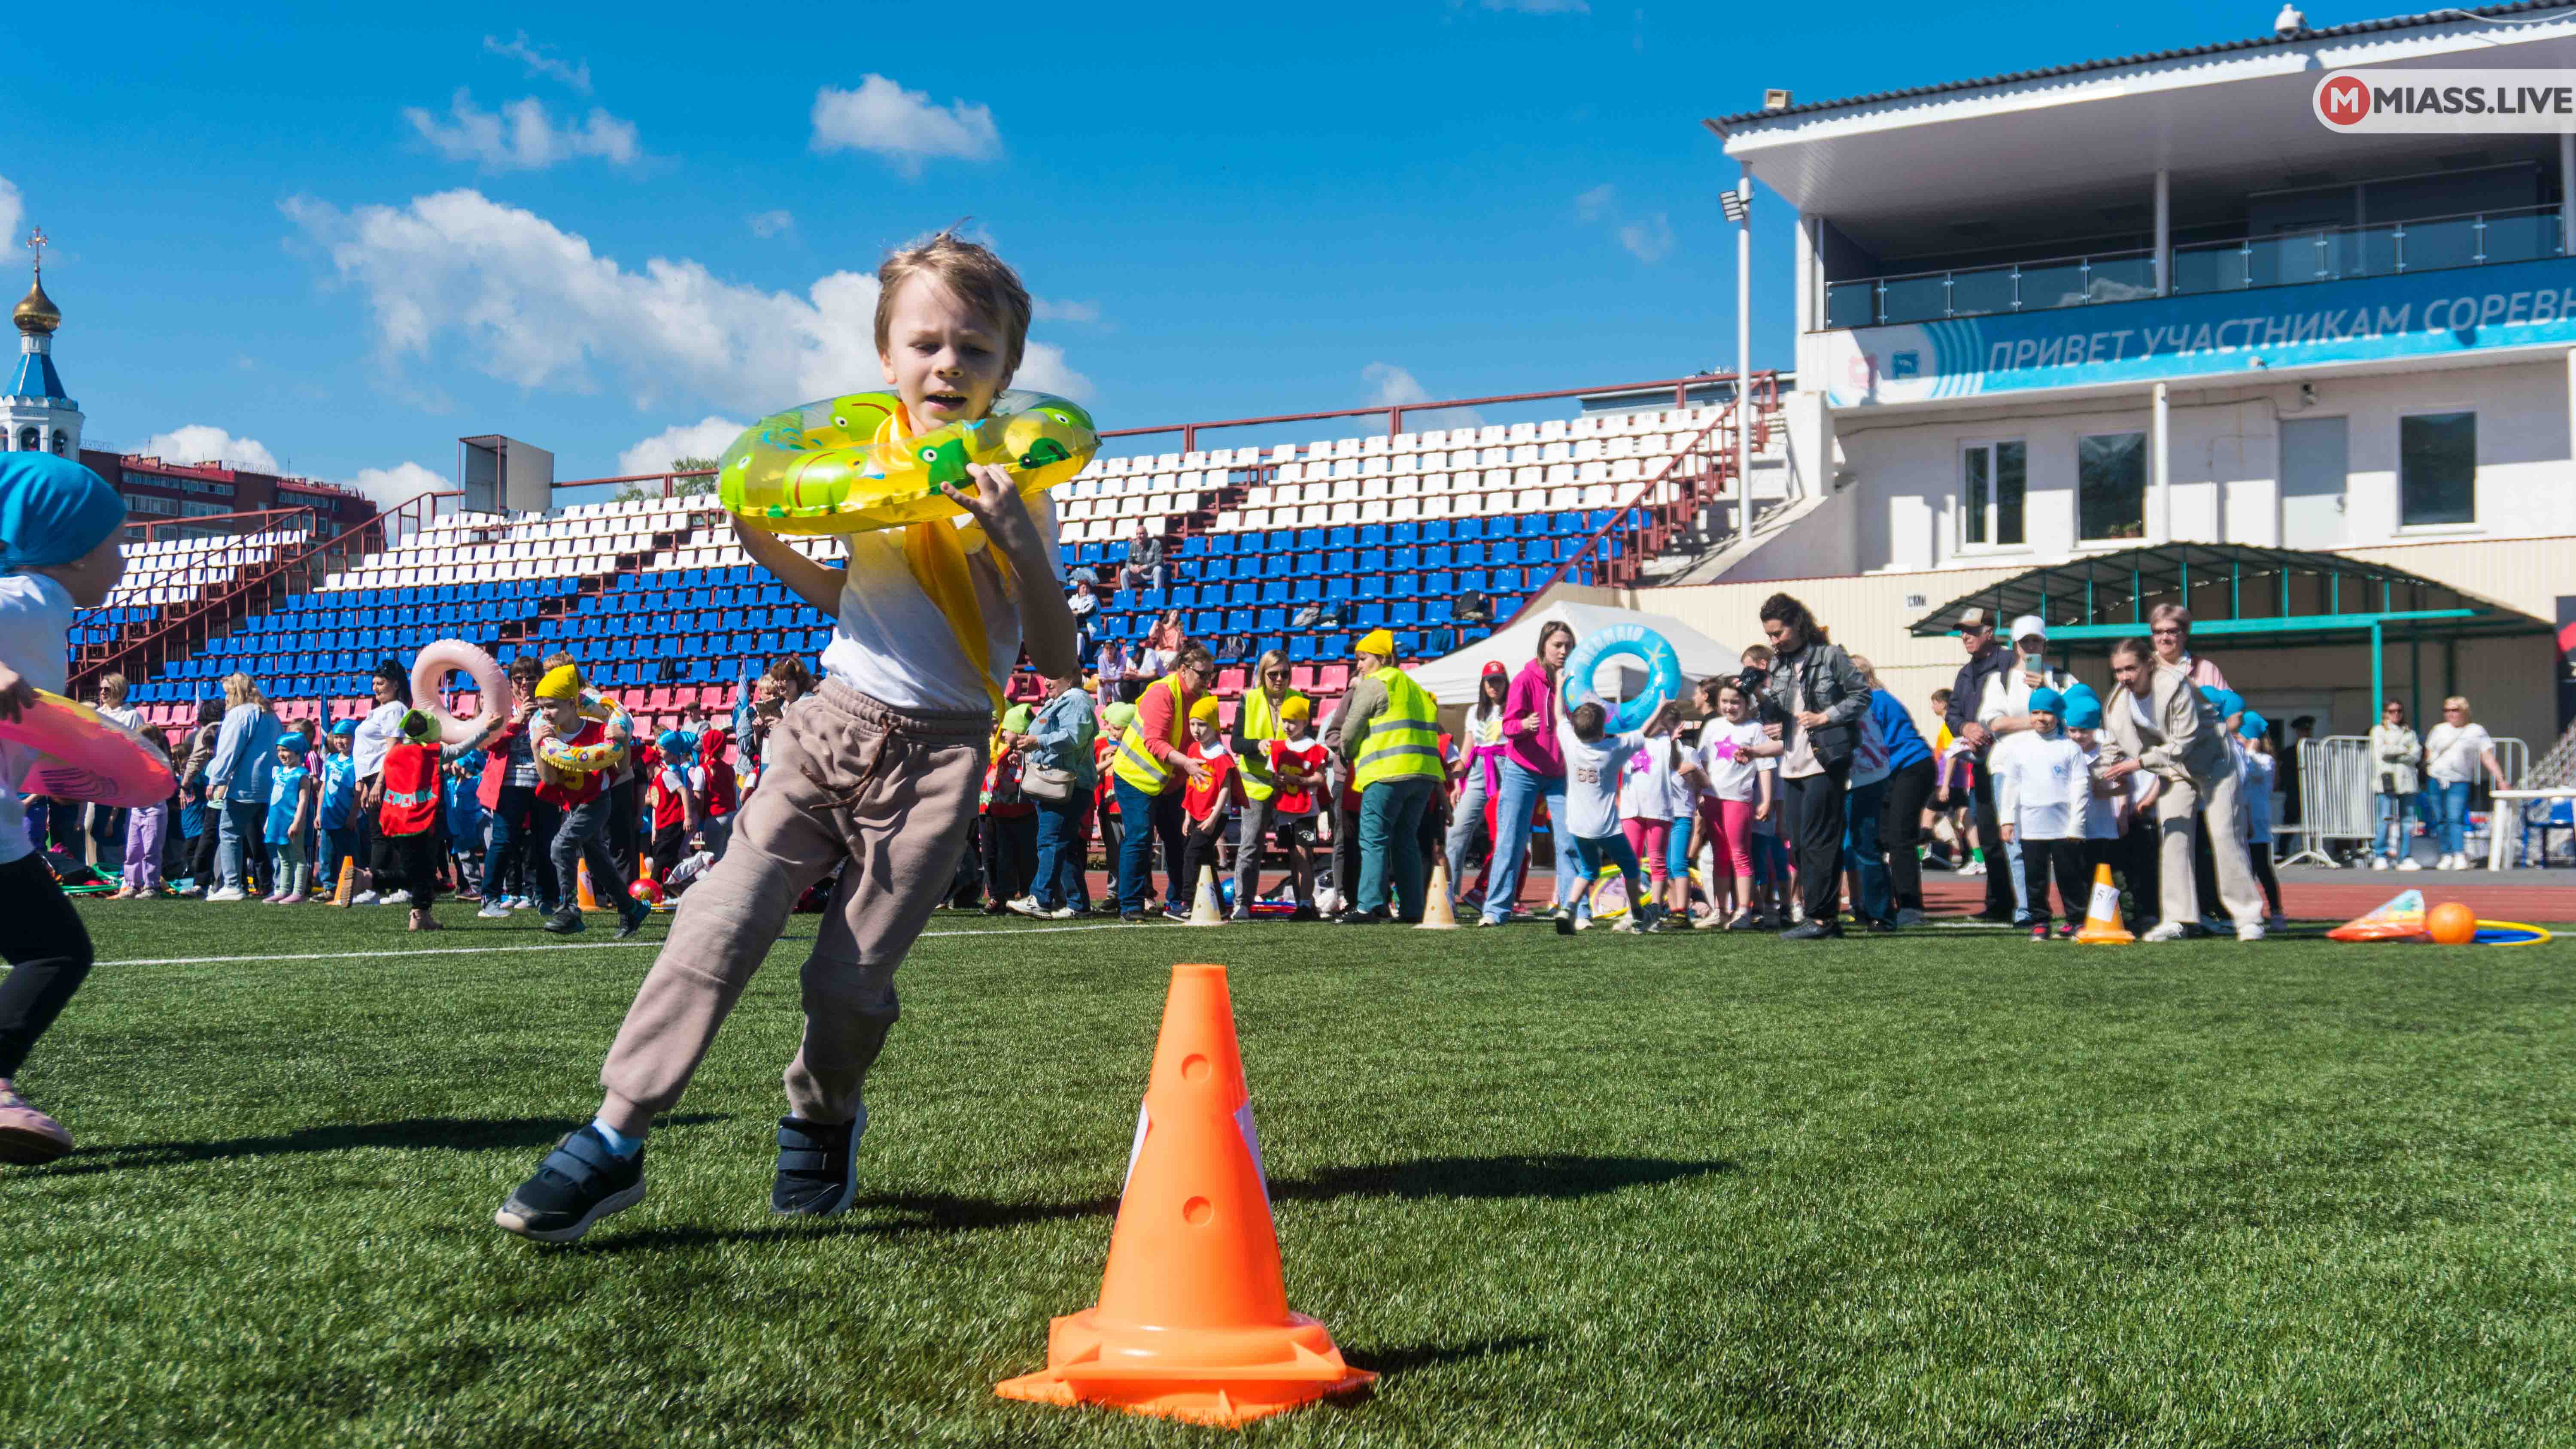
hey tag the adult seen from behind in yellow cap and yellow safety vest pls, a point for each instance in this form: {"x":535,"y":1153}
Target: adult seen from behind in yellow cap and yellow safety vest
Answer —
{"x":1390,"y":737}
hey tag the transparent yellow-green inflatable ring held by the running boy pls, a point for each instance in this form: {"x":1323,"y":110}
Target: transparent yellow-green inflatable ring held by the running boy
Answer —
{"x":836,"y":467}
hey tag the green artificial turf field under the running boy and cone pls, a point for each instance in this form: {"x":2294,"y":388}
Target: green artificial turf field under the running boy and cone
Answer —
{"x":1941,"y":1188}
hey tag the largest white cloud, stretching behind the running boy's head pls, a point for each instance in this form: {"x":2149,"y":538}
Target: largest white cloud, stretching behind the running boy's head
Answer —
{"x":537,"y":308}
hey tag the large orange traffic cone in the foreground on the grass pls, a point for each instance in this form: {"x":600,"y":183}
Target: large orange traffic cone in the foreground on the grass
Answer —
{"x":1194,"y":1319}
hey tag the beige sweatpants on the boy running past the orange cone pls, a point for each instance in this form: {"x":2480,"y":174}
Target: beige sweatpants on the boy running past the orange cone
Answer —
{"x":846,"y":781}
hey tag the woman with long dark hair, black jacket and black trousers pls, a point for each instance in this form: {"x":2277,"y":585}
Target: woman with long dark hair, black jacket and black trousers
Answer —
{"x":1825,"y":701}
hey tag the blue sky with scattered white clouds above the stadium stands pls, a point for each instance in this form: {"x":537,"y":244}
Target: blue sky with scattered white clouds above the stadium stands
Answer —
{"x":352,"y":243}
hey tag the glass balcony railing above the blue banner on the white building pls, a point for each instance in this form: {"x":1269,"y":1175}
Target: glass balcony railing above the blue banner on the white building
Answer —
{"x":2289,"y":259}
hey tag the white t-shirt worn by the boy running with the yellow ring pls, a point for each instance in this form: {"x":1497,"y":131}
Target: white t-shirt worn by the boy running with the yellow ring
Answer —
{"x":893,"y":642}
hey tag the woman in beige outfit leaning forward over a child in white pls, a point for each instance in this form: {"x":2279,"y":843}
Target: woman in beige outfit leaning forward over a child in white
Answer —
{"x":2160,"y":722}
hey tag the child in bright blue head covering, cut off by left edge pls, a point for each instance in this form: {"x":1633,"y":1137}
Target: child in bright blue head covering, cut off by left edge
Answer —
{"x":61,"y":531}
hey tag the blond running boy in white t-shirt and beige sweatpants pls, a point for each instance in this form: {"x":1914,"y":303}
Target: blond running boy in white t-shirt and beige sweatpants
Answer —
{"x":875,"y":773}
